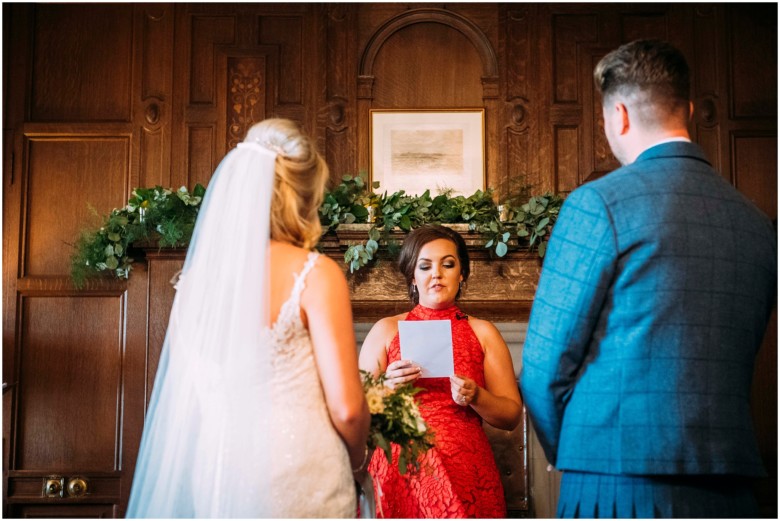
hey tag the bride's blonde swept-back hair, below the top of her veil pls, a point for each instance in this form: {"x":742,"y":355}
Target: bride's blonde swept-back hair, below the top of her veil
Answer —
{"x":299,"y":184}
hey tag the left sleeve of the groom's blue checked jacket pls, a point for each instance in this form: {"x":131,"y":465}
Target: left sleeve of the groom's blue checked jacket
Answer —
{"x":578,"y":269}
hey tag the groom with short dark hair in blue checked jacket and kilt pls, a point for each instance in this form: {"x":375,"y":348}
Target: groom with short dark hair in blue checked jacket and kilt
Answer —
{"x":656,"y":290}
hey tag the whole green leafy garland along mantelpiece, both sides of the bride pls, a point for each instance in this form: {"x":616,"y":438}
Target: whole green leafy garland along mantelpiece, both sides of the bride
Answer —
{"x":168,"y":217}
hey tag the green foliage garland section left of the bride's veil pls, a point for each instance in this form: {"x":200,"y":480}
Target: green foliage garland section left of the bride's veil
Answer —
{"x":158,"y":214}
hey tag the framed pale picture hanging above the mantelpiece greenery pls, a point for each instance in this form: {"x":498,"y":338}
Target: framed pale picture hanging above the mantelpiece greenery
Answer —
{"x":436,"y":150}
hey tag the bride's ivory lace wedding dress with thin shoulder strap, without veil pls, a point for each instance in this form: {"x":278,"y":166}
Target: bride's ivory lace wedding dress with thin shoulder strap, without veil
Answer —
{"x":310,"y":472}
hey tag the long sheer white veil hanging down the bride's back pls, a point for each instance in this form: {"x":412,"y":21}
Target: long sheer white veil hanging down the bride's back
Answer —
{"x":203,"y":453}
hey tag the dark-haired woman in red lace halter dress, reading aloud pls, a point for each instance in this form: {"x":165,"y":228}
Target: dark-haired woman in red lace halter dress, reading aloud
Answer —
{"x":458,"y":477}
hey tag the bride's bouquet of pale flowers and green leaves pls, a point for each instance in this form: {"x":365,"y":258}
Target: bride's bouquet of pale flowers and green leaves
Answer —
{"x":395,"y":418}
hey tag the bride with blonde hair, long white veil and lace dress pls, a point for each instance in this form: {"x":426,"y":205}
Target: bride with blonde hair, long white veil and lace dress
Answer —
{"x":257,"y":408}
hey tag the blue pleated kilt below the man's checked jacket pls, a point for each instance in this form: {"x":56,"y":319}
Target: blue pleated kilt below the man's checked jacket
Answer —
{"x":587,"y":495}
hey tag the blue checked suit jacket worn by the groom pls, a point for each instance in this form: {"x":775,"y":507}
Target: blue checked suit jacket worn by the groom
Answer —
{"x":654,"y":297}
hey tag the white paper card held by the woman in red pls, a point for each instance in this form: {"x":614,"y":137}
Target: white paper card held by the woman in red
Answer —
{"x":428,"y":343}
